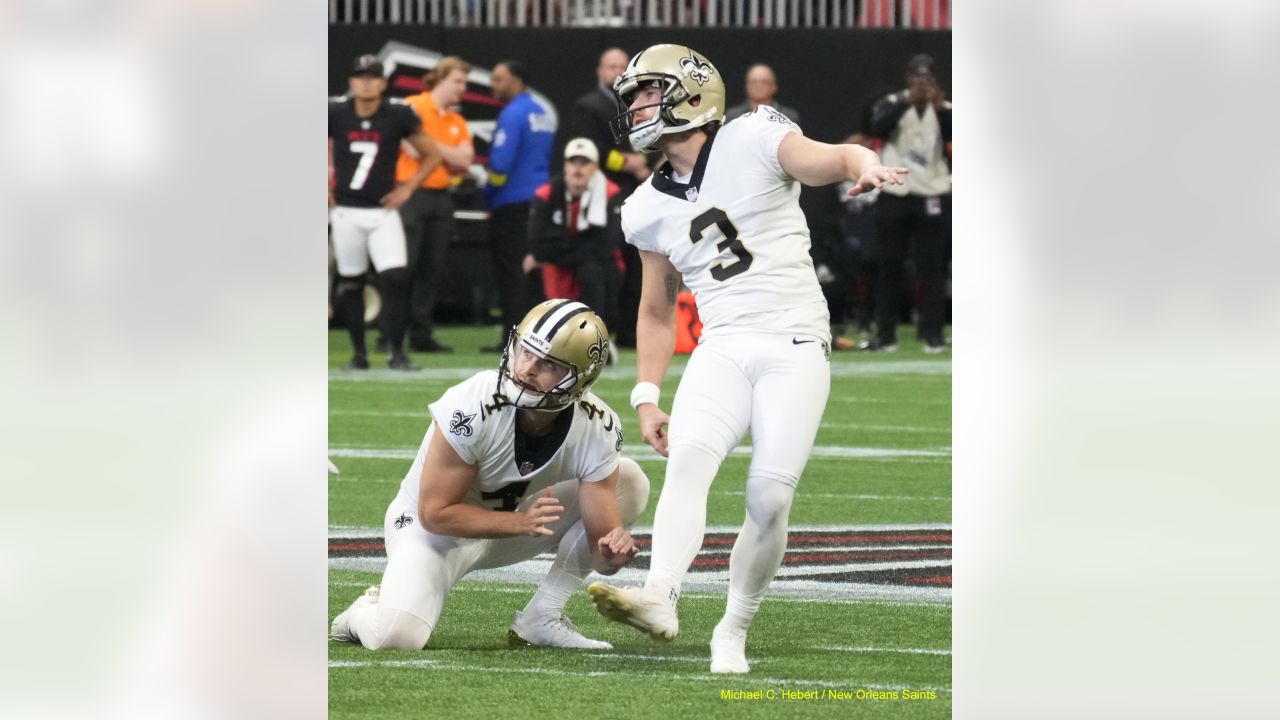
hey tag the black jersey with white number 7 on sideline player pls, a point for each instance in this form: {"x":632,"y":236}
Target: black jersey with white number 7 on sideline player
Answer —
{"x":365,"y":151}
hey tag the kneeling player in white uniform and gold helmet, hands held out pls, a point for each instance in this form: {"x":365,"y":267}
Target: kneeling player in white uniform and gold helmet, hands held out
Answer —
{"x":515,"y":463}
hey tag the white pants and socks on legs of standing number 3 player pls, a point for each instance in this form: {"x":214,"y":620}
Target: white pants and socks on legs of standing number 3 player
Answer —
{"x":776,"y":388}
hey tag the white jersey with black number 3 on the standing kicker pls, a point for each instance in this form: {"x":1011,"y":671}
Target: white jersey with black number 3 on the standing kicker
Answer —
{"x":737,"y":233}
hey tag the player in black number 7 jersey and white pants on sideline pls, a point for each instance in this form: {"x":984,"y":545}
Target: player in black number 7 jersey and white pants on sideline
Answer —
{"x":365,"y":131}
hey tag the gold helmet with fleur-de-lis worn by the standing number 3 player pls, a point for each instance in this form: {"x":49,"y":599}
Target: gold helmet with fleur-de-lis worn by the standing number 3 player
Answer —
{"x":693,"y":94}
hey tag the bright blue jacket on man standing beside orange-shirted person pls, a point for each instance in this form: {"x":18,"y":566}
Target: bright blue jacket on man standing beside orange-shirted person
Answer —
{"x":520,"y":154}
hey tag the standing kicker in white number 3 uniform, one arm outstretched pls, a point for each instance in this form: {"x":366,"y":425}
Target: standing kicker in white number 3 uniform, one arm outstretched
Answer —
{"x":724,"y":217}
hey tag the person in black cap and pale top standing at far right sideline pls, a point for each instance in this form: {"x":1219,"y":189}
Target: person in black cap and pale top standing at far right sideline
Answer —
{"x":916,"y":125}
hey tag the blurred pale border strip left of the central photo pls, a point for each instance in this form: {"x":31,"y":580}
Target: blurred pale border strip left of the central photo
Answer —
{"x":163,"y":258}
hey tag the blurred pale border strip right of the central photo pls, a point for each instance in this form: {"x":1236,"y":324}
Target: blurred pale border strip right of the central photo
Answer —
{"x":1116,"y":390}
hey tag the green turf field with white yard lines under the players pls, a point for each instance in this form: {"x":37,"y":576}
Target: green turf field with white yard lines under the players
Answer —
{"x":883,"y":458}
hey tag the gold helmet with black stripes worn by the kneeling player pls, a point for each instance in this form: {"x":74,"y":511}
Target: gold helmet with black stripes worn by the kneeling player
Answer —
{"x":568,"y":334}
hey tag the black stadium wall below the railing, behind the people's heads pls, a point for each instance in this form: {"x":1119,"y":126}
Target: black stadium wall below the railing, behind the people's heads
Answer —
{"x":829,"y":76}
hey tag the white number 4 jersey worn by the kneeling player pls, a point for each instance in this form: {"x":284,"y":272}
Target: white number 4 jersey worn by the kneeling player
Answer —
{"x":482,"y":429}
